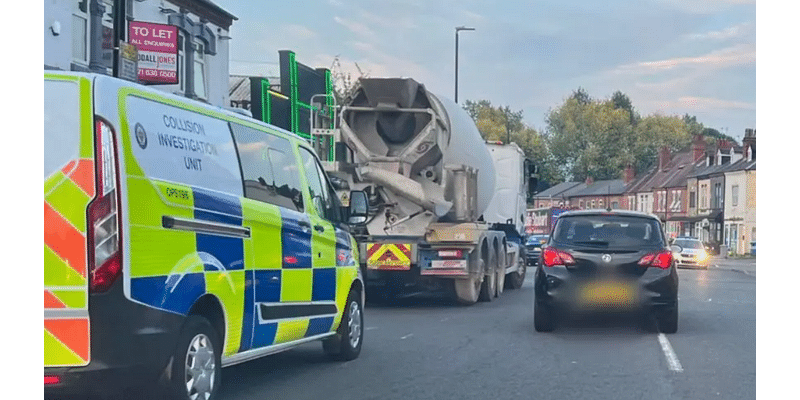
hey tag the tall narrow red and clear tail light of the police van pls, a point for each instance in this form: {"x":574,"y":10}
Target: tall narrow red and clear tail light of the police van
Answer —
{"x":105,"y":256}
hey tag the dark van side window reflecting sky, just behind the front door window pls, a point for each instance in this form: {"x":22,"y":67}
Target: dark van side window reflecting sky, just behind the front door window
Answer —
{"x":268,"y":167}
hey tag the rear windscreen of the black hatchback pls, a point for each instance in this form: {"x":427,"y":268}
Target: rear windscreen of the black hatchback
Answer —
{"x":607,"y":231}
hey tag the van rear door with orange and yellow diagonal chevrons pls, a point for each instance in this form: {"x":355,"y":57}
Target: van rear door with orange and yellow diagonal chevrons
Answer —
{"x":69,"y":186}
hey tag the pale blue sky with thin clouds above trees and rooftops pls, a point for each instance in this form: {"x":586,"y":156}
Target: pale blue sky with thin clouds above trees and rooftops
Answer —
{"x":670,"y":57}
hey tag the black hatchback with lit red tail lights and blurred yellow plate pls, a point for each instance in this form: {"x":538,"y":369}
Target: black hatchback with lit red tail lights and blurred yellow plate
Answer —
{"x":606,"y":261}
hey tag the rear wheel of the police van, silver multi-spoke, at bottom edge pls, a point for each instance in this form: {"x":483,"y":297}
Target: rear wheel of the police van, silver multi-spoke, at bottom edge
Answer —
{"x":196,"y":363}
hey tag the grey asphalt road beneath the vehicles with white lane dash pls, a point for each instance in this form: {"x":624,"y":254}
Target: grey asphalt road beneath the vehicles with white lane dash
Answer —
{"x":432,"y":349}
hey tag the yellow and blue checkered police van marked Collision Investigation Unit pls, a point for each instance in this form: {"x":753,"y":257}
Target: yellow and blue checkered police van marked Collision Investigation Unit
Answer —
{"x":180,"y":238}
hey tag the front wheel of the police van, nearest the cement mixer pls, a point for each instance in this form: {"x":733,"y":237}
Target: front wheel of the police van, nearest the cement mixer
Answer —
{"x":346,"y":344}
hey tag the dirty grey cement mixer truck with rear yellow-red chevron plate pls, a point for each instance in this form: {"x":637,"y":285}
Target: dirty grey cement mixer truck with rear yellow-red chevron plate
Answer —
{"x":446,"y":208}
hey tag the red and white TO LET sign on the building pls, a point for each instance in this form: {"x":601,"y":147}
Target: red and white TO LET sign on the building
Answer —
{"x":158,"y":51}
